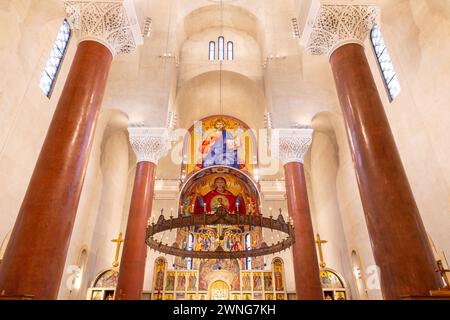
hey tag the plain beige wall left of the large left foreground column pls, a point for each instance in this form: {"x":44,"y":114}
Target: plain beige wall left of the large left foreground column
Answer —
{"x":28,"y":31}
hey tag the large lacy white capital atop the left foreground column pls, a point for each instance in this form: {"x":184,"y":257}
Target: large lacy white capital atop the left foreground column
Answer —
{"x":113,"y":23}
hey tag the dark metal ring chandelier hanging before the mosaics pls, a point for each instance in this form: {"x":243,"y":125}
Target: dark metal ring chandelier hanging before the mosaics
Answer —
{"x":220,"y":217}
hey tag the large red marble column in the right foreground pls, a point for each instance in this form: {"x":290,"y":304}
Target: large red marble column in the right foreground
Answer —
{"x":398,"y":237}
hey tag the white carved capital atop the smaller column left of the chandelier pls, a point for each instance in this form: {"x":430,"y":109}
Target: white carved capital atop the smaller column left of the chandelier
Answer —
{"x":149,"y":144}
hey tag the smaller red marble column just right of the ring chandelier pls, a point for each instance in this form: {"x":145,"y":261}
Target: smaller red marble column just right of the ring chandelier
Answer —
{"x":306,"y":266}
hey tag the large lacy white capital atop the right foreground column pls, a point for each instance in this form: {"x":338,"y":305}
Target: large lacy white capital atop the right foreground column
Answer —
{"x":329,"y":25}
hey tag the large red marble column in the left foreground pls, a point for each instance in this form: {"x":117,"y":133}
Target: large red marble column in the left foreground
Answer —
{"x":34,"y":260}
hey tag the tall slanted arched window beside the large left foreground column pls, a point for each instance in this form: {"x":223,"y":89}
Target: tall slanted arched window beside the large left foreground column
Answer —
{"x":53,"y":65}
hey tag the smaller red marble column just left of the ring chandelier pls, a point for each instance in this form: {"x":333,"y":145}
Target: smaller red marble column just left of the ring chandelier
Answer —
{"x":132,"y":266}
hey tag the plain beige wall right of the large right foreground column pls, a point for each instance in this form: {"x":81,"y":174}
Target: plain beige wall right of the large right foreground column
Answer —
{"x":419,"y":41}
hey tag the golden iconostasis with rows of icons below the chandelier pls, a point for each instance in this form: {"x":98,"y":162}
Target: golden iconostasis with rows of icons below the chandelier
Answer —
{"x":228,"y":283}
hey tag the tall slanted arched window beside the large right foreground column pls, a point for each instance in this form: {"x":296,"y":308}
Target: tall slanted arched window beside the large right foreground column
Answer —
{"x":385,"y":63}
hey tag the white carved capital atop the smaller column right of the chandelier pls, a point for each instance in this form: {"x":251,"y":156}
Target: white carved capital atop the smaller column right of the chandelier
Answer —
{"x":292,"y":144}
